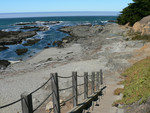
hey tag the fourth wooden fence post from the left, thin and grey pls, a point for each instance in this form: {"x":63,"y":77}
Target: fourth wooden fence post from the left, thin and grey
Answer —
{"x":85,"y":85}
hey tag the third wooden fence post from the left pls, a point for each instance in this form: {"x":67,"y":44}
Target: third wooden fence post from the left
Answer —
{"x":75,"y":92}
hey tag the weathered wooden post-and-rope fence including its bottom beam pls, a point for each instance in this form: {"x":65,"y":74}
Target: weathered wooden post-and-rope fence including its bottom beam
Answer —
{"x":96,"y":79}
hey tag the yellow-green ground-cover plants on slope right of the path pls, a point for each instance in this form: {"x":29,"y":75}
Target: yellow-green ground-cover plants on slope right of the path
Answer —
{"x":136,"y":83}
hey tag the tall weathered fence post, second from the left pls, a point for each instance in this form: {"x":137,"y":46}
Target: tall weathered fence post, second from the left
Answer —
{"x":55,"y":90}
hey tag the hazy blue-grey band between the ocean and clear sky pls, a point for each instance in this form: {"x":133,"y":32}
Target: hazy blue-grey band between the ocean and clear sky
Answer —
{"x":59,"y":14}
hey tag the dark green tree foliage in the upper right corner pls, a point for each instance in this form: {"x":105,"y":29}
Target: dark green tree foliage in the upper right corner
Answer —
{"x":134,"y":12}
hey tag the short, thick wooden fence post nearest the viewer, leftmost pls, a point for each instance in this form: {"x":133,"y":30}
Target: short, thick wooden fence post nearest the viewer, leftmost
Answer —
{"x":26,"y":103}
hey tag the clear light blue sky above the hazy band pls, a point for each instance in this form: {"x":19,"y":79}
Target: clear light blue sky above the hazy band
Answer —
{"x":13,"y":6}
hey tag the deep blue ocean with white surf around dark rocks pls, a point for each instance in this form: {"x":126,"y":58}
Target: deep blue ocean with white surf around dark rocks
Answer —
{"x":47,"y":37}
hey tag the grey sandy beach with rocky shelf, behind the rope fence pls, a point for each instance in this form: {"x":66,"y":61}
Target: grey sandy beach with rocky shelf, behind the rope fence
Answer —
{"x":94,"y":48}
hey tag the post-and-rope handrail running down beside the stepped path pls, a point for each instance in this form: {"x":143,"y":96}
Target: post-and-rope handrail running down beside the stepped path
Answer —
{"x":87,"y":83}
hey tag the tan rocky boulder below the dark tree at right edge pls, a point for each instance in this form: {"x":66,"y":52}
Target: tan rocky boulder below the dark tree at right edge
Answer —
{"x":142,"y":26}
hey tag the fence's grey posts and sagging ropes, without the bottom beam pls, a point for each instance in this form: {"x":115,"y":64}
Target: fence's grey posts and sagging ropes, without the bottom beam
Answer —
{"x":89,"y":84}
